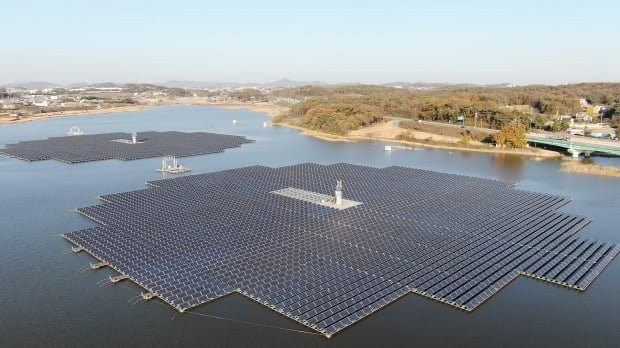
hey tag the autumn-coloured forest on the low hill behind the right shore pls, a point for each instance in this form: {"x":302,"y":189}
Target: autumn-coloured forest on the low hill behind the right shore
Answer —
{"x":341,"y":109}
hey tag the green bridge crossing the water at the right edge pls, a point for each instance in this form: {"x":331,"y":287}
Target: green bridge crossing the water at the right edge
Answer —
{"x":576,"y":145}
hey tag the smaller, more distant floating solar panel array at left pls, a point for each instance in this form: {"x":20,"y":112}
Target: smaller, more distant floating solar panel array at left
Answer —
{"x":98,"y":147}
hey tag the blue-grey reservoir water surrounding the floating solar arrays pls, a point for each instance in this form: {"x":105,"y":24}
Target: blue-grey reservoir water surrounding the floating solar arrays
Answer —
{"x":46,"y":300}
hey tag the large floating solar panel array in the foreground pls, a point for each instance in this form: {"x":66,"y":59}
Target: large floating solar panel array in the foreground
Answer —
{"x":451,"y":238}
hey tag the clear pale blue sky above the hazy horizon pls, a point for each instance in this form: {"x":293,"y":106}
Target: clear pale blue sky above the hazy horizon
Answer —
{"x":523,"y":42}
